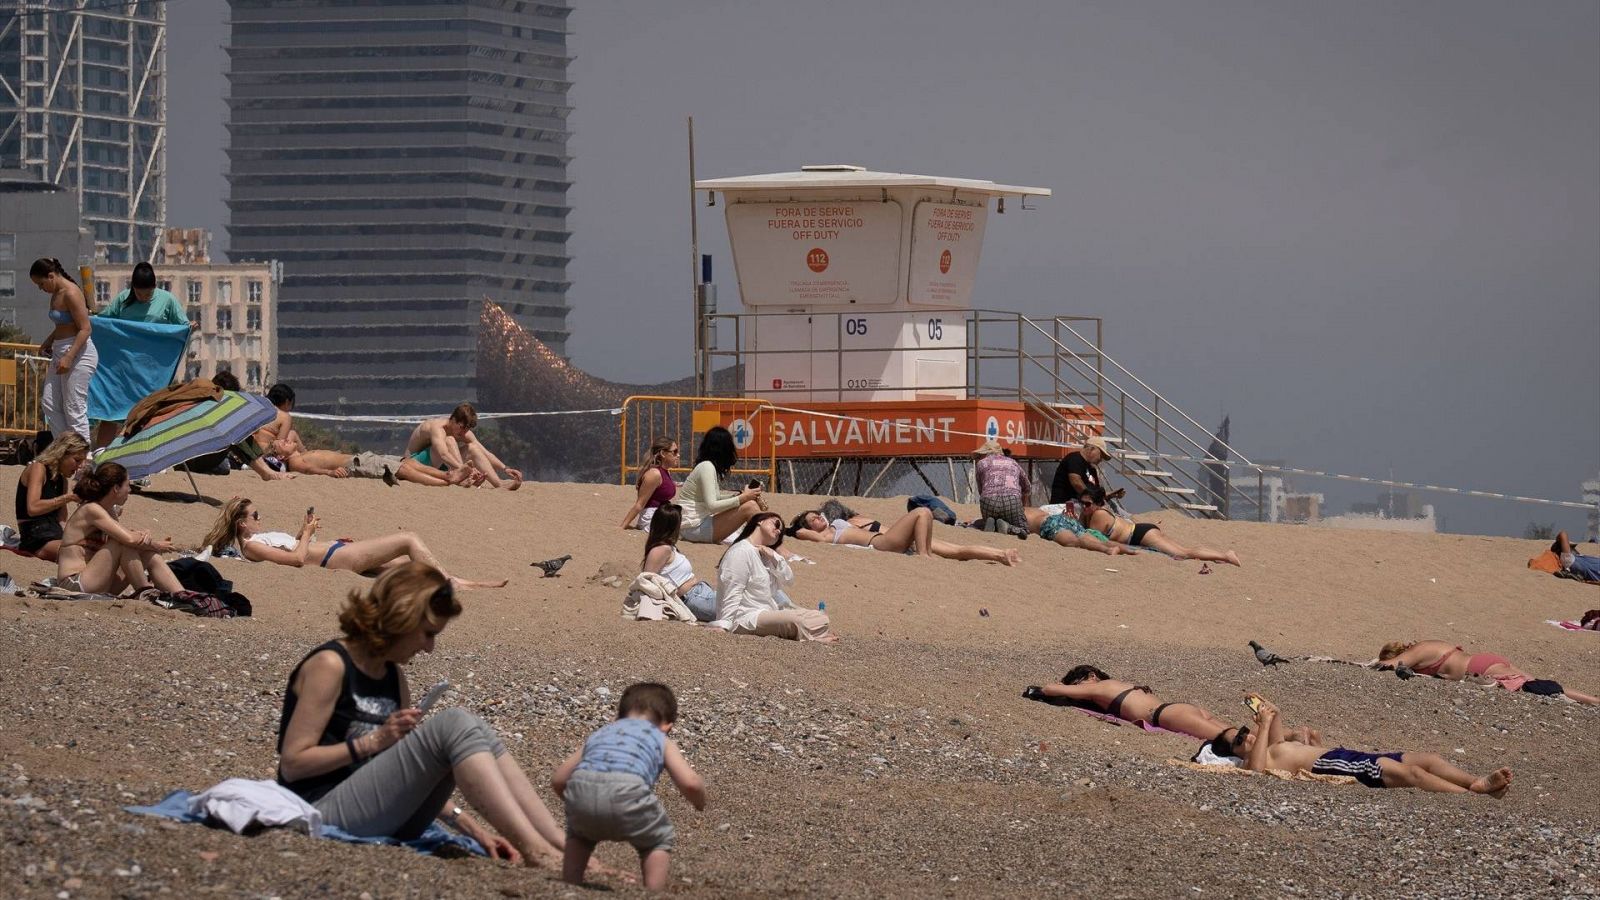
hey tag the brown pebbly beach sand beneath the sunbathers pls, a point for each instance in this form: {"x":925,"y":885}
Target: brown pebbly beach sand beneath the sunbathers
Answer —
{"x":902,"y":761}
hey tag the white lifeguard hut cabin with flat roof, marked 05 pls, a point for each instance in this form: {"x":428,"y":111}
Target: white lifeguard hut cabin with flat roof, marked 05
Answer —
{"x":858,"y":281}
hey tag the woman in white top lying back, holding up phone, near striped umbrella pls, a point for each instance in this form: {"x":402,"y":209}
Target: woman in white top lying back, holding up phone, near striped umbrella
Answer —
{"x":239,"y":526}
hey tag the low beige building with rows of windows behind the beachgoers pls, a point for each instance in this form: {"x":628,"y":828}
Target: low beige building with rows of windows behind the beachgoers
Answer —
{"x":233,"y":308}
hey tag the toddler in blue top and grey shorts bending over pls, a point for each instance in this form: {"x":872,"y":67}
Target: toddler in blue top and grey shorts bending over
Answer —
{"x":609,"y":785}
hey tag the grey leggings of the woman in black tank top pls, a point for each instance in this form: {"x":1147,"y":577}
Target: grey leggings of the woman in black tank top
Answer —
{"x":404,"y":789}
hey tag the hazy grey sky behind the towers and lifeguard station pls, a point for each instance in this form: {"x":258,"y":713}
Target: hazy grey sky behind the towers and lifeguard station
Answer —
{"x":1367,"y":231}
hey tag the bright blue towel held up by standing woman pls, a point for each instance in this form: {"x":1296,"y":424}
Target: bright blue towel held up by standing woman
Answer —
{"x":135,"y":361}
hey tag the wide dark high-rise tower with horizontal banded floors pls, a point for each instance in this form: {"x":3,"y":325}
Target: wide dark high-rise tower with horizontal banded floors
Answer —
{"x":404,"y":159}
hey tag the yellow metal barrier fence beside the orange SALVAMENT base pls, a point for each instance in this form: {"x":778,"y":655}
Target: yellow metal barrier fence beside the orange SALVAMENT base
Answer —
{"x":684,"y":420}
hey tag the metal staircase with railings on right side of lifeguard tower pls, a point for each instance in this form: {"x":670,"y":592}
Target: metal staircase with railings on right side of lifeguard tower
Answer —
{"x":1057,"y":368}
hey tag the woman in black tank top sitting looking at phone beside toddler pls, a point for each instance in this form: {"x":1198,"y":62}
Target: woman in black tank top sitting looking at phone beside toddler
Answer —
{"x":353,"y":744}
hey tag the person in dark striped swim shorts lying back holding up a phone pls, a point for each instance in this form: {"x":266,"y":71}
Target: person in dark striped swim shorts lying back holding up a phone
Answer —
{"x":1266,"y":749}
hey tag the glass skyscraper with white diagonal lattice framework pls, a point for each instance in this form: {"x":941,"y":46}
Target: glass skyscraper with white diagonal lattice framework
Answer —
{"x":84,"y":106}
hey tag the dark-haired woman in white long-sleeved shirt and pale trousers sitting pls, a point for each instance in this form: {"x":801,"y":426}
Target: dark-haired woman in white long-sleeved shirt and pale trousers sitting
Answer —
{"x":751,"y":579}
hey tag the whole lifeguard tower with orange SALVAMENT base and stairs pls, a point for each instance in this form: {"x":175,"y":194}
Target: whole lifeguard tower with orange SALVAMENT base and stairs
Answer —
{"x":862,"y":334}
